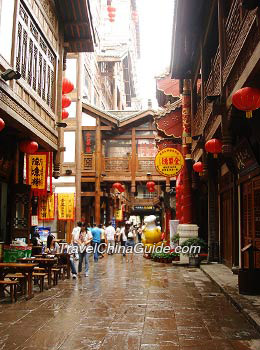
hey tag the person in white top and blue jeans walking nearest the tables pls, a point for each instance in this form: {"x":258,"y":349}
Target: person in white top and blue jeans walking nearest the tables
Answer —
{"x":84,"y":241}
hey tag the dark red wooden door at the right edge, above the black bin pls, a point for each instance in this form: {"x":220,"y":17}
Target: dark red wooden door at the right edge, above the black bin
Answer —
{"x":250,"y":217}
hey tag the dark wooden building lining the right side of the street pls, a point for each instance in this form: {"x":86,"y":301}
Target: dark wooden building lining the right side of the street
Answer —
{"x":216,"y":48}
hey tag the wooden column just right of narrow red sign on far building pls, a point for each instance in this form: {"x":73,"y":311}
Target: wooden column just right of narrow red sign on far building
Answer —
{"x":98,"y":172}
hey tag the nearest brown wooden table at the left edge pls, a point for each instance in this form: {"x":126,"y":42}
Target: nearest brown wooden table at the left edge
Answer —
{"x":25,"y":268}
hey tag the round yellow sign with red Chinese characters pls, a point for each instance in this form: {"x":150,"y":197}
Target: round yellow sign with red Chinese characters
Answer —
{"x":169,"y":162}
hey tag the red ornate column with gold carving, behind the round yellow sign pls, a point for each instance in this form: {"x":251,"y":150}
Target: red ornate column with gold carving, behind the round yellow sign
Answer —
{"x":186,"y":150}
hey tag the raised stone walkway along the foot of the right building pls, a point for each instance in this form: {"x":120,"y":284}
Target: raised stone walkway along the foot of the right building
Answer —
{"x":248,"y":305}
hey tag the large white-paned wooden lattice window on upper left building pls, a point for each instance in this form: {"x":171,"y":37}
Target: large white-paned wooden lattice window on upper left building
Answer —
{"x":35,"y":59}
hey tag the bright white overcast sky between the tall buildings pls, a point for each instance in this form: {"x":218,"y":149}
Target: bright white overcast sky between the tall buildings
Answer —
{"x":155,"y":20}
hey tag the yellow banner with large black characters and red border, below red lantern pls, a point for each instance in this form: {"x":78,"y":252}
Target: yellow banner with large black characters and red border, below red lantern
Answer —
{"x":37,"y":172}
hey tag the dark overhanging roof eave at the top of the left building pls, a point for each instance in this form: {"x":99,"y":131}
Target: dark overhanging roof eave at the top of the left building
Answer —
{"x":77,"y":21}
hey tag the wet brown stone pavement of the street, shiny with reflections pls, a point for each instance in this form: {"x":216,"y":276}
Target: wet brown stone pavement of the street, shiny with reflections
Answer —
{"x":137,"y":306}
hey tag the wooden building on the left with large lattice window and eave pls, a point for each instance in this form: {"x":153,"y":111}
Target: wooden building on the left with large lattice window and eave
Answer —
{"x":33,"y":35}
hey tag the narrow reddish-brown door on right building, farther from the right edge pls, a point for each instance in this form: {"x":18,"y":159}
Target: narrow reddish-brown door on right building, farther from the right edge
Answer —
{"x":226,"y":222}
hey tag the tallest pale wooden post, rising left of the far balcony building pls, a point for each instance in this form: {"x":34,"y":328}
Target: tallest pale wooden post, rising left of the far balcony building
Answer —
{"x":78,"y":141}
